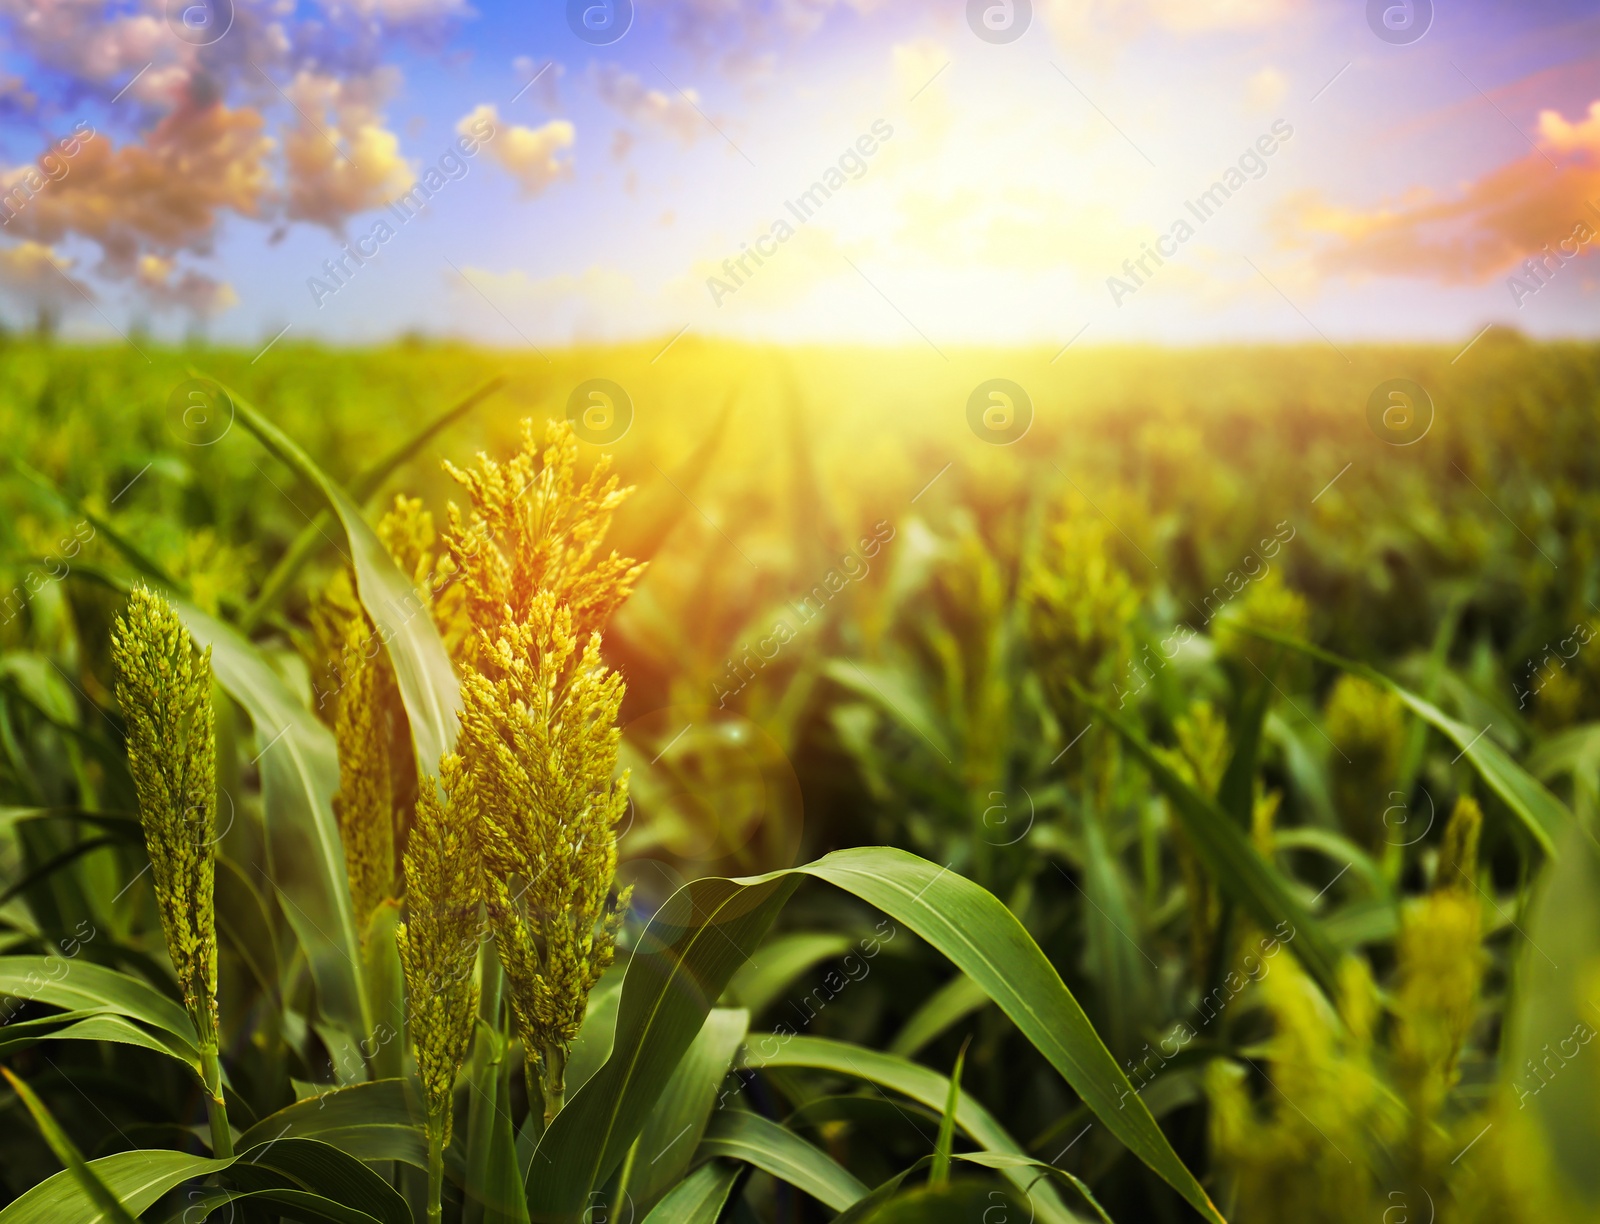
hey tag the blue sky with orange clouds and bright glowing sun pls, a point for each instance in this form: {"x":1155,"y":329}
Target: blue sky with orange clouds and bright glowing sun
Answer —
{"x":994,"y":172}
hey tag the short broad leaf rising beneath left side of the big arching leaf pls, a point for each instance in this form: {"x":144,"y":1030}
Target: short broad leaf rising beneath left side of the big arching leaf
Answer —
{"x":666,"y":1146}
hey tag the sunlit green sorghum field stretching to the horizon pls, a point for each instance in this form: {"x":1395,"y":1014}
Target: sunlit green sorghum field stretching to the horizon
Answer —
{"x":1239,"y":772}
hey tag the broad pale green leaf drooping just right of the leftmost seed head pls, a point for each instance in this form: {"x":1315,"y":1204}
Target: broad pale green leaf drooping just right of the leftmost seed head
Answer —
{"x":300,"y":777}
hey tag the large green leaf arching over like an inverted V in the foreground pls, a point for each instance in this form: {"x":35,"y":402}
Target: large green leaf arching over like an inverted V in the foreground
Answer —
{"x":695,"y":943}
